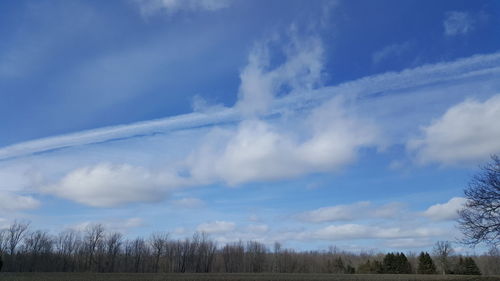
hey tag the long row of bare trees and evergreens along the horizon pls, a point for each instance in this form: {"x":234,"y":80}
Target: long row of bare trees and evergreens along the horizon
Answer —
{"x":97,"y":250}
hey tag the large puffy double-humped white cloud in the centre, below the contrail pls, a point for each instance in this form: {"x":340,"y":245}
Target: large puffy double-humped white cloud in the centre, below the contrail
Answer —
{"x":258,"y":150}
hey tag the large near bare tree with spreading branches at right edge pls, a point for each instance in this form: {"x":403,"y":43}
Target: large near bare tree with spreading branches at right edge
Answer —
{"x":480,"y":218}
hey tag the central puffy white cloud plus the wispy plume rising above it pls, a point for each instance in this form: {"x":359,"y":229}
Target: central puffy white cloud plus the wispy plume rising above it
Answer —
{"x":292,"y":144}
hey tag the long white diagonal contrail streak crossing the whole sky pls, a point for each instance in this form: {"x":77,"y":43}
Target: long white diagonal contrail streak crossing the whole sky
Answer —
{"x":477,"y":67}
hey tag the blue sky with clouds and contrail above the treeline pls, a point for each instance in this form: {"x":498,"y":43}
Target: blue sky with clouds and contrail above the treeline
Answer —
{"x":310,"y":123}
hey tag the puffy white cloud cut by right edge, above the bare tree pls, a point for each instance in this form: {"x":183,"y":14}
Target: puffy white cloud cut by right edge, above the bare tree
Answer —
{"x":466,"y":133}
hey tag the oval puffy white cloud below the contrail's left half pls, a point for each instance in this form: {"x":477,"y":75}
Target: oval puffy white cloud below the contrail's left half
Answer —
{"x":106,"y":185}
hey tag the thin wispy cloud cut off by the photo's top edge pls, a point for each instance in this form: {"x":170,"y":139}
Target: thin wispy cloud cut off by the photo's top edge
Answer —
{"x":151,"y":7}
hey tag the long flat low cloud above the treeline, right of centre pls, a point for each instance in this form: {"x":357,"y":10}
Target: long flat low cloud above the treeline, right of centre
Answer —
{"x":356,"y":211}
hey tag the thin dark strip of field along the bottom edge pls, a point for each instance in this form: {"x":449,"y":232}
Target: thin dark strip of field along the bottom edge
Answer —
{"x":229,"y":277}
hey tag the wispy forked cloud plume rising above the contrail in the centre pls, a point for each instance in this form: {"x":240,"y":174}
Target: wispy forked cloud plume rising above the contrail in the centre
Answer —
{"x":261,"y":81}
